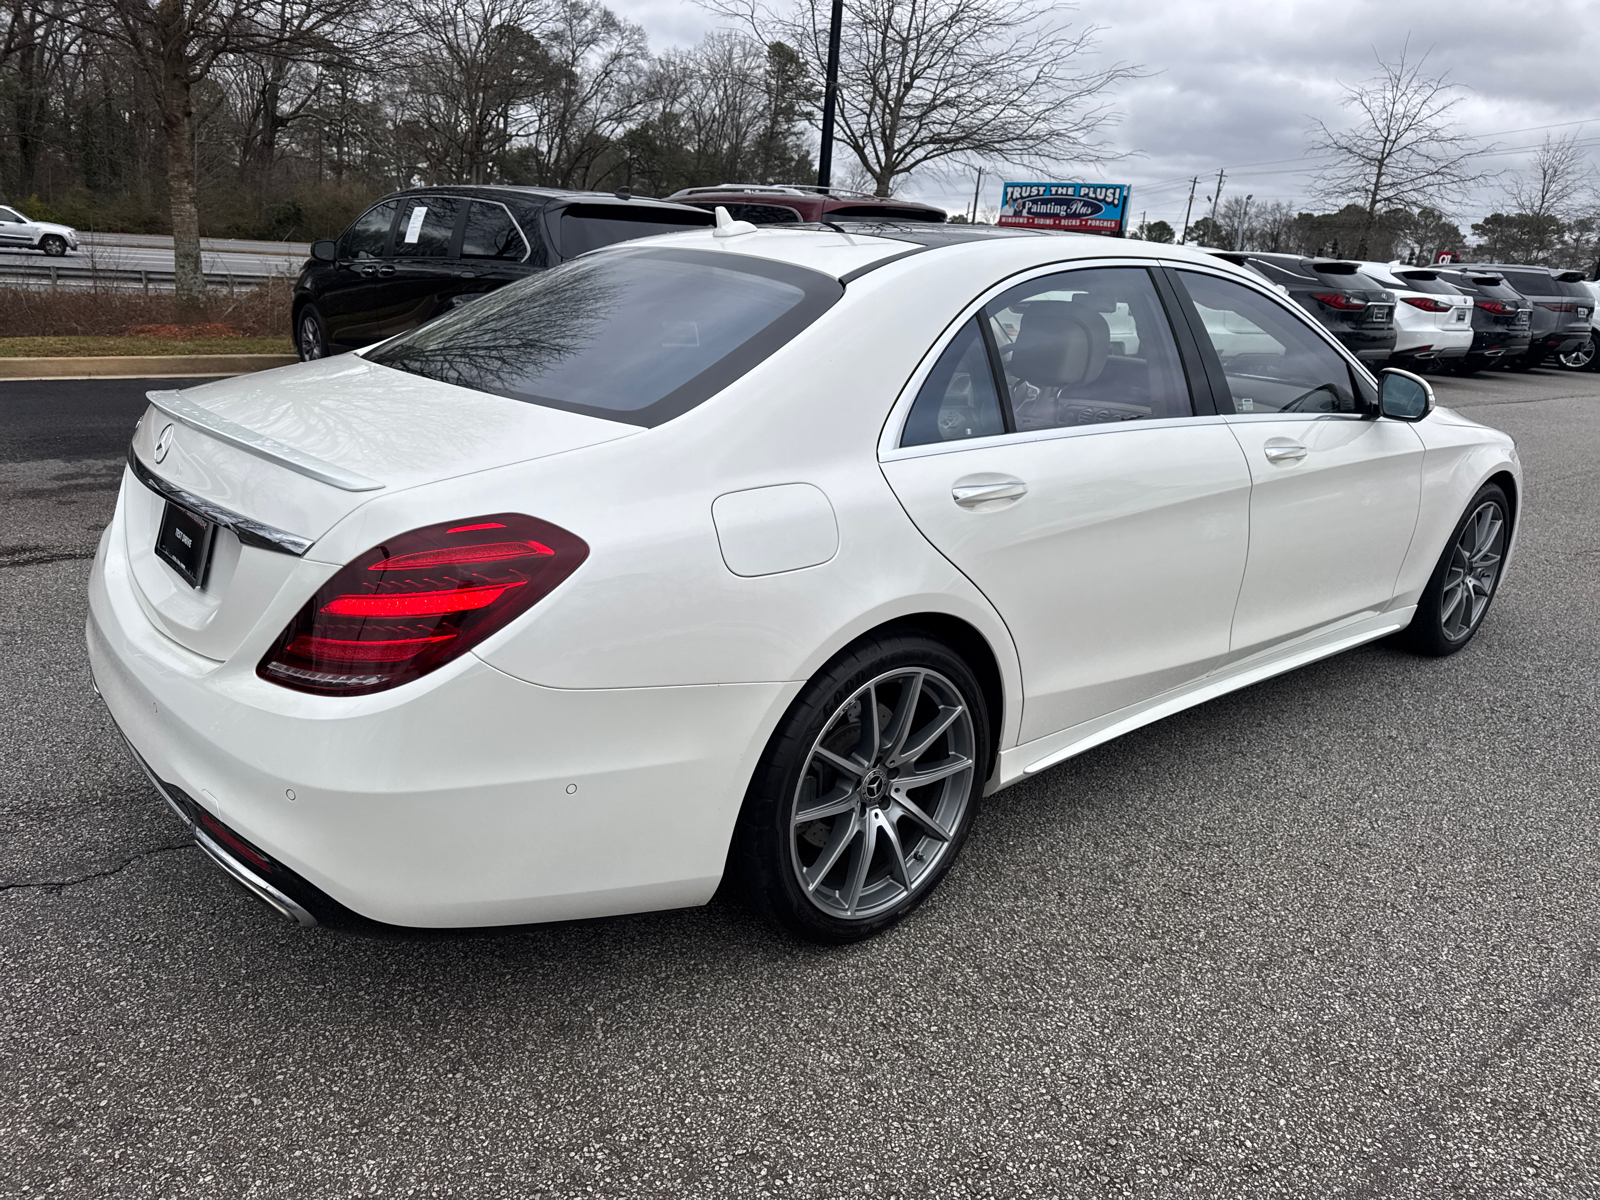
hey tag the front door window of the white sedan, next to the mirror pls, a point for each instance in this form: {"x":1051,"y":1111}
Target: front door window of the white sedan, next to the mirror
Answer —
{"x":1273,"y":362}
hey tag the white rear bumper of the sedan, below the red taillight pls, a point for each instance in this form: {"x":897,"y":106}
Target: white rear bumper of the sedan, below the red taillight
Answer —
{"x":473,"y":801}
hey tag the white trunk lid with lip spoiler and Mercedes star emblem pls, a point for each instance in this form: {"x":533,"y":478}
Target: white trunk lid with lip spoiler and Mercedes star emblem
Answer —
{"x":297,"y":450}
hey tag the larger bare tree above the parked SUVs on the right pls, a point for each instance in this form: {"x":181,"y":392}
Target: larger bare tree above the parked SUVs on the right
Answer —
{"x":1402,"y":151}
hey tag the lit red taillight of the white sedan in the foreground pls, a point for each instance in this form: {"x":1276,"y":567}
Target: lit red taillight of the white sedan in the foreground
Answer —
{"x":417,"y":602}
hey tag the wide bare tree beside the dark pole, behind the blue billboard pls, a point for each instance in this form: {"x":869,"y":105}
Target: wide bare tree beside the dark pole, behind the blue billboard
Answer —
{"x":922,"y":82}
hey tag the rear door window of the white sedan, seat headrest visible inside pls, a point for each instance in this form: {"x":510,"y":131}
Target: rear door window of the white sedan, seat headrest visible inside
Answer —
{"x":1086,"y":348}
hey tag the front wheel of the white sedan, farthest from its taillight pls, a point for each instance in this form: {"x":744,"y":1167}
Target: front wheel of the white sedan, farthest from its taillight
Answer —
{"x":1460,"y":591}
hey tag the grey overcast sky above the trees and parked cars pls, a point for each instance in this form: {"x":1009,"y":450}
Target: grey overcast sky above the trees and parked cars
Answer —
{"x":1233,"y":86}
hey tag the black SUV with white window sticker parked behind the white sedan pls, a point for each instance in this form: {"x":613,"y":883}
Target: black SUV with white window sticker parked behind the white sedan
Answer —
{"x":423,"y":252}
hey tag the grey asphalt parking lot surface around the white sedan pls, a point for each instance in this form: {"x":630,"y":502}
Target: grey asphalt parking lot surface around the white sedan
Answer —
{"x":1335,"y":935}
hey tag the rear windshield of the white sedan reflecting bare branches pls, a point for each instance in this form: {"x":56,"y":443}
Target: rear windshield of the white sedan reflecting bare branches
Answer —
{"x":636,"y":335}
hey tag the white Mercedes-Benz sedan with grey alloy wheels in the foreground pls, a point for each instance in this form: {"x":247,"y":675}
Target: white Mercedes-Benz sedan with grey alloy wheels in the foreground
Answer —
{"x":764,"y":551}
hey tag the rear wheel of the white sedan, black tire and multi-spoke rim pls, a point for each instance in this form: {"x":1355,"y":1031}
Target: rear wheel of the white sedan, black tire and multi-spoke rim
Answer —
{"x":770,"y":847}
